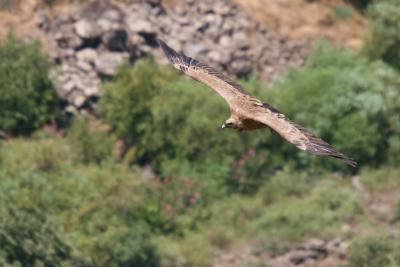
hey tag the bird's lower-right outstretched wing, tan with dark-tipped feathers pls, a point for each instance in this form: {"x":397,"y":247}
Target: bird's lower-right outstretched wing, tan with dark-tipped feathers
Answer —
{"x":296,"y":134}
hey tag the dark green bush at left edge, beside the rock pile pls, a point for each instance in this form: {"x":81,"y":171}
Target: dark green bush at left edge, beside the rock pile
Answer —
{"x":27,"y":97}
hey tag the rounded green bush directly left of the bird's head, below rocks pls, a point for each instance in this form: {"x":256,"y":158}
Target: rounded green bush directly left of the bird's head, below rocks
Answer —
{"x":172,"y":123}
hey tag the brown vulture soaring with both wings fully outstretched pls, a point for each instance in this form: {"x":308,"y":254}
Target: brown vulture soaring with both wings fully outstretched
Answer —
{"x":249,"y":113}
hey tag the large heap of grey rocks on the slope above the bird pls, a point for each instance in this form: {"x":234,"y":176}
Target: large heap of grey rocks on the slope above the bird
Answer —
{"x":92,"y":43}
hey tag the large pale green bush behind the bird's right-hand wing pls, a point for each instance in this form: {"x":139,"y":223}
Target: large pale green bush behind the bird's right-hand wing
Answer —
{"x":335,"y":92}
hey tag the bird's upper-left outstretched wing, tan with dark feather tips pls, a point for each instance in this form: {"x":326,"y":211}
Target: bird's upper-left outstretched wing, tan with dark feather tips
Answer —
{"x":222,"y":84}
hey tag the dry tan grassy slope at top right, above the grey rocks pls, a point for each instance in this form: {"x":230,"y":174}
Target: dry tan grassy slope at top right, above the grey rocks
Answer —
{"x":301,"y":19}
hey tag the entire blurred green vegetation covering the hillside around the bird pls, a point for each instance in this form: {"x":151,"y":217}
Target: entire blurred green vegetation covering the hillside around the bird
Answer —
{"x":149,"y":179}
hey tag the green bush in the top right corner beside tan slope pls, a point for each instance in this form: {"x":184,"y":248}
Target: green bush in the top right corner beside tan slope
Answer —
{"x":384,"y":41}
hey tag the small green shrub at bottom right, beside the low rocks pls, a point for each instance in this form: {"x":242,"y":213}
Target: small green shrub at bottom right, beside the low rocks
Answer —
{"x":370,"y":251}
